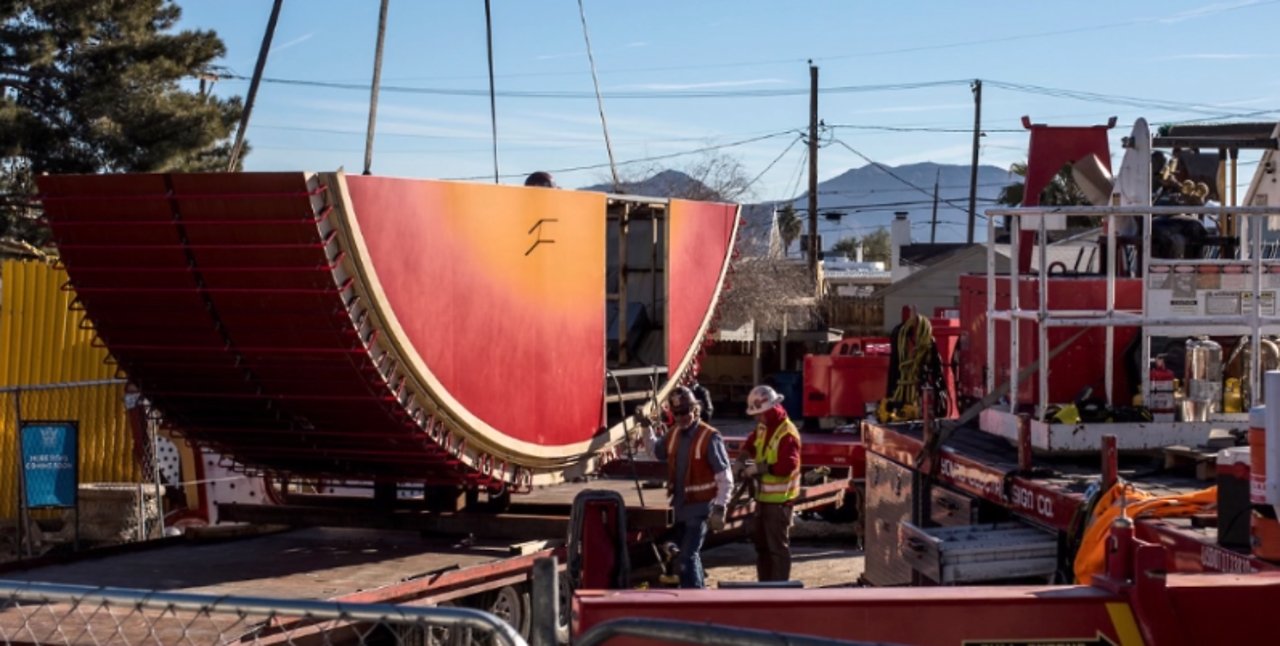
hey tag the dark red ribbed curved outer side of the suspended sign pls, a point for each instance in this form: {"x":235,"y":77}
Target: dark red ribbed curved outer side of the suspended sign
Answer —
{"x":226,"y":300}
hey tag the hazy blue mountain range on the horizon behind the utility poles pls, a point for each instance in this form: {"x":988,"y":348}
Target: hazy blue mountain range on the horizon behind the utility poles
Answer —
{"x":862,"y":200}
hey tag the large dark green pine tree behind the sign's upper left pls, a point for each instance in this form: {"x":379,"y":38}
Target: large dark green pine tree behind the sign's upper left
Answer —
{"x":97,"y":86}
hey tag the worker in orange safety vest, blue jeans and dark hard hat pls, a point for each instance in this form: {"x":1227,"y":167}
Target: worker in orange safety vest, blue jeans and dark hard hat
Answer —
{"x":698,"y":480}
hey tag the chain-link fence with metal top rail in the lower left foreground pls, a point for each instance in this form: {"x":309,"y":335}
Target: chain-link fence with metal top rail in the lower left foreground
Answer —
{"x":60,"y":615}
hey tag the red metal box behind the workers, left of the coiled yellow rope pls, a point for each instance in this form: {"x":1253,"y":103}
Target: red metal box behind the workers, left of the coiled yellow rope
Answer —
{"x":843,"y":383}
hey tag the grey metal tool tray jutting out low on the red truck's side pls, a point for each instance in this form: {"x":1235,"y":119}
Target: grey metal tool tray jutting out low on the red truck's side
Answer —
{"x":979,"y":552}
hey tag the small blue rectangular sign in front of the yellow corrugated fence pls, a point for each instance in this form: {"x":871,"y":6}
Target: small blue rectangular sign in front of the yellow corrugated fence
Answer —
{"x":49,"y":462}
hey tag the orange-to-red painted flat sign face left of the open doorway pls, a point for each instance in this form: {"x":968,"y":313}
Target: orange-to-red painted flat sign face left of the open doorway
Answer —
{"x":501,"y":292}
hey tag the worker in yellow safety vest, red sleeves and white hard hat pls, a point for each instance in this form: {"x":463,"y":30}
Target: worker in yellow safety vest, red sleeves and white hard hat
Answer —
{"x":771,"y":456}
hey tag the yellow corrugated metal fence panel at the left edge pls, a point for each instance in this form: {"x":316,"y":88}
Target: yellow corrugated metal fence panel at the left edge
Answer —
{"x":42,"y":343}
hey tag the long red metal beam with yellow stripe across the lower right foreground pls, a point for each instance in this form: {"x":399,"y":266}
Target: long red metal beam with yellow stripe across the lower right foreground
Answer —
{"x":1136,"y":603}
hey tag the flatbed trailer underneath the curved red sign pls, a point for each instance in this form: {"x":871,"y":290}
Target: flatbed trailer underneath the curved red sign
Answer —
{"x":345,"y":549}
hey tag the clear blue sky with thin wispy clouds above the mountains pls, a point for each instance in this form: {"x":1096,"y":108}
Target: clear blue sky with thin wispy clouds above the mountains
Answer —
{"x":894,"y":76}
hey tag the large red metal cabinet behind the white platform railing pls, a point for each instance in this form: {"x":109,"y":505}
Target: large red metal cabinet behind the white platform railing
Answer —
{"x":1076,"y":368}
